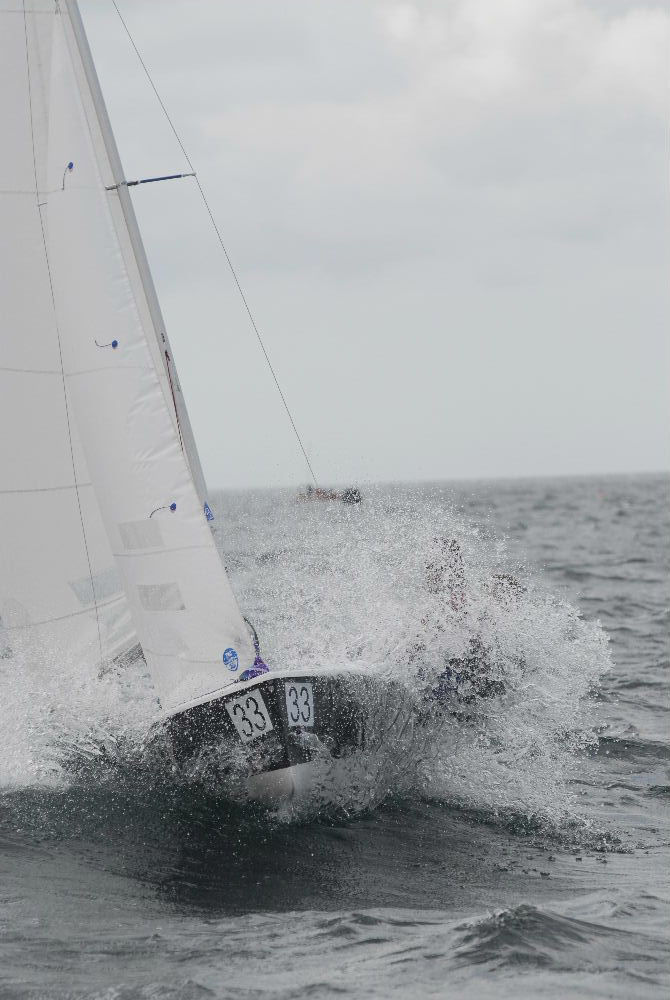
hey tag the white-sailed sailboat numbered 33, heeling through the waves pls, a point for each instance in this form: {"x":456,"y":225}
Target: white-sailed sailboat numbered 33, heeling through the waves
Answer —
{"x":106,"y":546}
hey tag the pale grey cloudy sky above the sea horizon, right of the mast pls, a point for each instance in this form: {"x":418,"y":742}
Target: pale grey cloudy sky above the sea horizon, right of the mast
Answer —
{"x":450,"y":219}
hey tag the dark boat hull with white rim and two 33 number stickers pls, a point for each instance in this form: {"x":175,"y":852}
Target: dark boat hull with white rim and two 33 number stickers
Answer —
{"x":297,"y":735}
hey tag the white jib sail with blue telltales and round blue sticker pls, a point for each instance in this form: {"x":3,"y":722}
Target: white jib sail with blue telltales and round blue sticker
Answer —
{"x":191,"y":631}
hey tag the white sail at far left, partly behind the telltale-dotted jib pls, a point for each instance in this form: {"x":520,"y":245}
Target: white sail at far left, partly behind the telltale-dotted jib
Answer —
{"x":61,"y":596}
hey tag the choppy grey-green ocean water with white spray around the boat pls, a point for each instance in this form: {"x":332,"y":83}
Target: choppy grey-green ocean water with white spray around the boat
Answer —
{"x":521,"y":850}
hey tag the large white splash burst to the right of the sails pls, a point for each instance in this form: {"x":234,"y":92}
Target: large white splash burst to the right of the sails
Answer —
{"x":351,"y":586}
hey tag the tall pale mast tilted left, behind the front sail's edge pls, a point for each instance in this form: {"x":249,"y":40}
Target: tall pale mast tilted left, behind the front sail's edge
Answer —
{"x":163,"y":353}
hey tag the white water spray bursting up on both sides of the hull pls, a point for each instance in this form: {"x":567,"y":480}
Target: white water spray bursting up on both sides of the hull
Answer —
{"x":371,"y":585}
